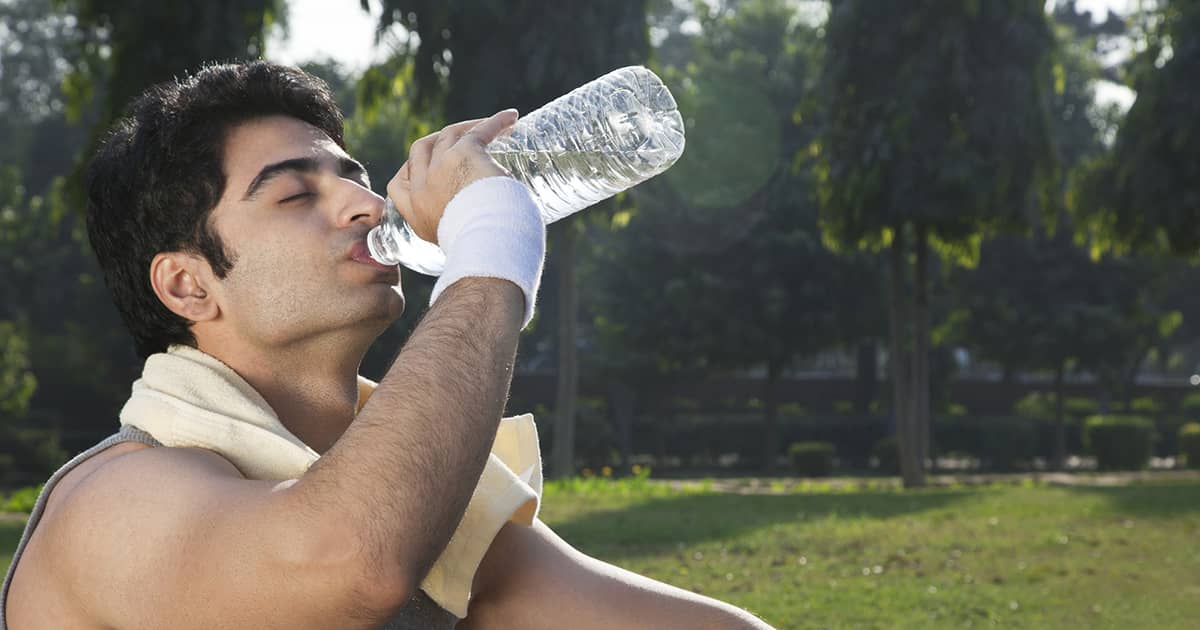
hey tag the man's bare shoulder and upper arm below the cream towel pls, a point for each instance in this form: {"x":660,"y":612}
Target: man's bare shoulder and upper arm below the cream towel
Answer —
{"x":178,"y":538}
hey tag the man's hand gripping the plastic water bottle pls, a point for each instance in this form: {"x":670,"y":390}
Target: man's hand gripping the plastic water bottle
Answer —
{"x":443,"y":164}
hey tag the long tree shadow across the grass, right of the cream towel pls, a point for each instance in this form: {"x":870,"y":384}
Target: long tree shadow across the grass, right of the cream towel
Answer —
{"x":691,"y":519}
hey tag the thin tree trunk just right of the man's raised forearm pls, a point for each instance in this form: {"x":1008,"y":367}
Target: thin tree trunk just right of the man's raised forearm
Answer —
{"x":563,"y":463}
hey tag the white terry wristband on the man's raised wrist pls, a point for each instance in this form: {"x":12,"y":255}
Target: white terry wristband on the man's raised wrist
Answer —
{"x":494,"y":229}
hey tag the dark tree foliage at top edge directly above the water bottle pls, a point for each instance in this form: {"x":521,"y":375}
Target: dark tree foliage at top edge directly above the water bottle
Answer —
{"x":478,"y":57}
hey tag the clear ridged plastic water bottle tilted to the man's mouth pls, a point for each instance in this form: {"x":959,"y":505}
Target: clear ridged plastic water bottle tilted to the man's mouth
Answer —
{"x":583,"y":148}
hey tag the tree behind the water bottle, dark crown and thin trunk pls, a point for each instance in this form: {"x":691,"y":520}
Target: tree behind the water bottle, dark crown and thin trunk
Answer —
{"x":476,"y":58}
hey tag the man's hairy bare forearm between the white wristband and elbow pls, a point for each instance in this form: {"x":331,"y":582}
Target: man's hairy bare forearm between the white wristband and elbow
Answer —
{"x":407,"y":466}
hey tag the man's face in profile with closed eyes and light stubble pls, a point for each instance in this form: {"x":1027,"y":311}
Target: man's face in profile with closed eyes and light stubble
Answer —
{"x":295,"y":217}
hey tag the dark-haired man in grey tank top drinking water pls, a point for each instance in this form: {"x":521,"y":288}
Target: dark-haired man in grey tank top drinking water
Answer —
{"x":231,"y":223}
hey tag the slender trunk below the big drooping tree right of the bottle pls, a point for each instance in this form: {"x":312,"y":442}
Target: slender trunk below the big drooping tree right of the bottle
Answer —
{"x":899,"y":367}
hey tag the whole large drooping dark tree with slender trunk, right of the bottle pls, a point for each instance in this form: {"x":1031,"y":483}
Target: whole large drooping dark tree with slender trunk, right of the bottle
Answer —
{"x":938,"y":133}
